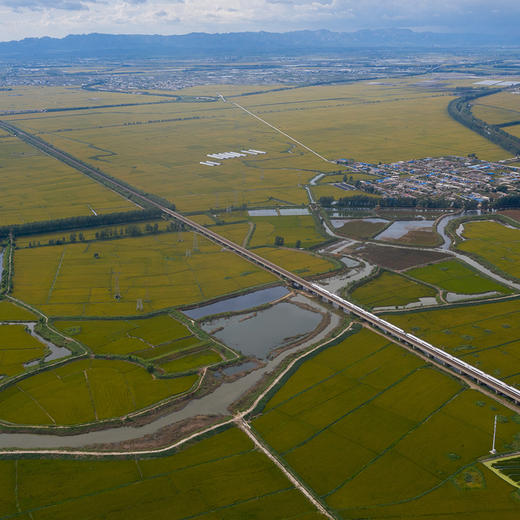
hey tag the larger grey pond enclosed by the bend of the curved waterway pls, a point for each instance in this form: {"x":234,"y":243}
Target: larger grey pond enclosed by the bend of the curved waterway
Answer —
{"x":257,"y":334}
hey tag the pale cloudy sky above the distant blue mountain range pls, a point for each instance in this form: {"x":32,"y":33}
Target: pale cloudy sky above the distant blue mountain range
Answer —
{"x":57,"y":18}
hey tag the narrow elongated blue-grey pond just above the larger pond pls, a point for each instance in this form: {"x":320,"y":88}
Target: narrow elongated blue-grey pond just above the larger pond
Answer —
{"x":239,"y":303}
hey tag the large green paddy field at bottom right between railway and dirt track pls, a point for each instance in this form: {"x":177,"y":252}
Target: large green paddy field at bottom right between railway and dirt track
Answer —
{"x":379,"y":434}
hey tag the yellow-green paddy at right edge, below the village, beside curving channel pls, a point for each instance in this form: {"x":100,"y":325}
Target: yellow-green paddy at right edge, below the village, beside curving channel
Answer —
{"x":495,"y":243}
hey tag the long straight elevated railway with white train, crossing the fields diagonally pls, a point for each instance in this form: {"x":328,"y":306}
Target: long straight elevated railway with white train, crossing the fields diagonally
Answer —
{"x":440,"y":356}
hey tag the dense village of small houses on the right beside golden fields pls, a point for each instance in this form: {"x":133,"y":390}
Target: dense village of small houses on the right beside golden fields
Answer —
{"x":448,"y":178}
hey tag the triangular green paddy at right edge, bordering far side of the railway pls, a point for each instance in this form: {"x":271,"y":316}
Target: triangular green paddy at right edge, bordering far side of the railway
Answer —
{"x":484,"y":335}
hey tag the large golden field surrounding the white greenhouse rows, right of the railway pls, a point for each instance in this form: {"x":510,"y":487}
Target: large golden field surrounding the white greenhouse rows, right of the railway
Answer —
{"x":159,"y":149}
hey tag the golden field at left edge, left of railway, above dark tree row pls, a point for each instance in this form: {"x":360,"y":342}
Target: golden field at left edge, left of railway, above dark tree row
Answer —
{"x":38,"y":187}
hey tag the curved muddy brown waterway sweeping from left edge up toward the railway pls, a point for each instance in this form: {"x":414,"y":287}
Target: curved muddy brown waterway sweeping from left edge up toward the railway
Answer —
{"x":215,"y":403}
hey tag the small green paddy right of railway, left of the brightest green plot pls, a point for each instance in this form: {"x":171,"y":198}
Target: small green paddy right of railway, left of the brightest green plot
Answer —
{"x":390,"y":289}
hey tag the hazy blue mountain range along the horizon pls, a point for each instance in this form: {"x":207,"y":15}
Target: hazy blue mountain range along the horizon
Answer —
{"x":238,"y":44}
